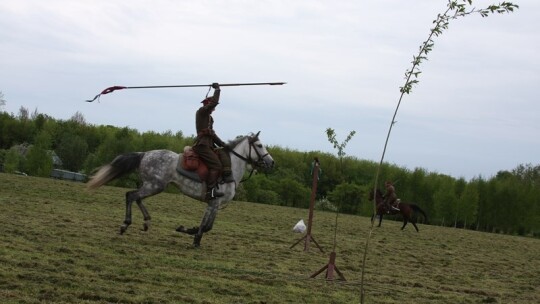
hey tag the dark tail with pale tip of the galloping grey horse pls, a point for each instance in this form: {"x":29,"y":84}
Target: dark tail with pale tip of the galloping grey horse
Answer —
{"x":121,"y":165}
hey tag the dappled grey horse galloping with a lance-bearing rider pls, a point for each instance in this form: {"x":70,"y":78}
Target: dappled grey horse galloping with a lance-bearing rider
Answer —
{"x":158,"y":168}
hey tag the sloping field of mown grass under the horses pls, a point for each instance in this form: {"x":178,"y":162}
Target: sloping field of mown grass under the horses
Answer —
{"x":59,"y":243}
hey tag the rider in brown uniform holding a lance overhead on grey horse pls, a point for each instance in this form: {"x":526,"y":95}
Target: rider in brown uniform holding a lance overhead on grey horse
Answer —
{"x":208,"y":144}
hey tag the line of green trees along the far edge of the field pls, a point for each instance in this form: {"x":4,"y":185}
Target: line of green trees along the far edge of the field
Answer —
{"x":505,"y":203}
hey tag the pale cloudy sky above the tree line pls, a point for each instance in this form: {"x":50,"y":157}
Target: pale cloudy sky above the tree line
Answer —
{"x":473,"y":113}
